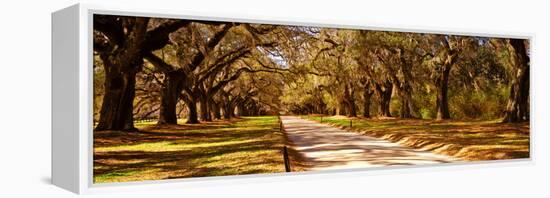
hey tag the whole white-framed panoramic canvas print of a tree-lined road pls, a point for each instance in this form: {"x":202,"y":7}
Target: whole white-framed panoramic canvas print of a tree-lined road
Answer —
{"x":149,"y":98}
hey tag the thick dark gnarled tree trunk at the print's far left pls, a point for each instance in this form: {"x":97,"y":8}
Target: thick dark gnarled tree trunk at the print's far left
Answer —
{"x":121,"y":64}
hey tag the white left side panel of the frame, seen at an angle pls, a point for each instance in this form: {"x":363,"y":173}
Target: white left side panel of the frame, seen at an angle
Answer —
{"x":65,"y":102}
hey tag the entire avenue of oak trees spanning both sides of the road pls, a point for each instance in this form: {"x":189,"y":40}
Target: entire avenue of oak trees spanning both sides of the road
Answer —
{"x":203,"y":70}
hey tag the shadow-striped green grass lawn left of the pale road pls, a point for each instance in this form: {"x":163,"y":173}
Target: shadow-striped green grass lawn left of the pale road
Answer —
{"x":245,"y":146}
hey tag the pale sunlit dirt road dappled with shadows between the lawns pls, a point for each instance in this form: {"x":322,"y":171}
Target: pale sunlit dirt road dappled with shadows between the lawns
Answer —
{"x":326,"y":147}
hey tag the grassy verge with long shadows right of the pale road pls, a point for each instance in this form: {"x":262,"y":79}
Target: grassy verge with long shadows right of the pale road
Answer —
{"x":469,"y":140}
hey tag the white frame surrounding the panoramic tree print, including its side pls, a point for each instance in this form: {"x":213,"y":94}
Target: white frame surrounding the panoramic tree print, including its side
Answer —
{"x":72,"y":132}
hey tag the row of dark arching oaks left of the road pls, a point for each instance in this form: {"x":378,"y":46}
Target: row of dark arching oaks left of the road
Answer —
{"x":213,"y":67}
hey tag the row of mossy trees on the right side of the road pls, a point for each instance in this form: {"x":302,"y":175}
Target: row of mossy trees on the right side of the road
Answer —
{"x":412,"y":75}
